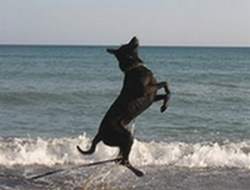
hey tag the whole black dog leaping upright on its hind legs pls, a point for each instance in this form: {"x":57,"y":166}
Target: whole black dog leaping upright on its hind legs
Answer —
{"x":139,"y":91}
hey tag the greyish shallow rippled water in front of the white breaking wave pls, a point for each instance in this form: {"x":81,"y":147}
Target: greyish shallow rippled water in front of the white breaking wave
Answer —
{"x":164,"y":178}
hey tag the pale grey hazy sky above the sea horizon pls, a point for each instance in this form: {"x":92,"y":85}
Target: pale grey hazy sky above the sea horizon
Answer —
{"x":108,"y":22}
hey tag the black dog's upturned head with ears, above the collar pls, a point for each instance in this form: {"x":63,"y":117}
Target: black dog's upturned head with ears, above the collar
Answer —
{"x":127,"y":55}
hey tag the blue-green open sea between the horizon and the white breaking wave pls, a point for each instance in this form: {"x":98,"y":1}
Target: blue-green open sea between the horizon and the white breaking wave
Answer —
{"x":68,"y":89}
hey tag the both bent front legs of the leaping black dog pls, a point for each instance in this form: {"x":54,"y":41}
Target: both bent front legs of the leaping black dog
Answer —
{"x":164,"y":97}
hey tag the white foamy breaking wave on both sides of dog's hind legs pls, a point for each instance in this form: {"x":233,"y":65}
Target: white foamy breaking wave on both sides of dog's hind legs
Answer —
{"x":28,"y":151}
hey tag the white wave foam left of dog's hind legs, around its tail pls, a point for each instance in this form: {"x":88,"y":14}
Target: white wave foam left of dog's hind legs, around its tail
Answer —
{"x":27,"y":151}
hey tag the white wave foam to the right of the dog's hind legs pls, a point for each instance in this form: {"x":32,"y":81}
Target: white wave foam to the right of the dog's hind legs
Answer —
{"x":198,"y":155}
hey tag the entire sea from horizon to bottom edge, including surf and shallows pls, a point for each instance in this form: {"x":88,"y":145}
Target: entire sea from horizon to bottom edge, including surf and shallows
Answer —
{"x":53,"y":98}
